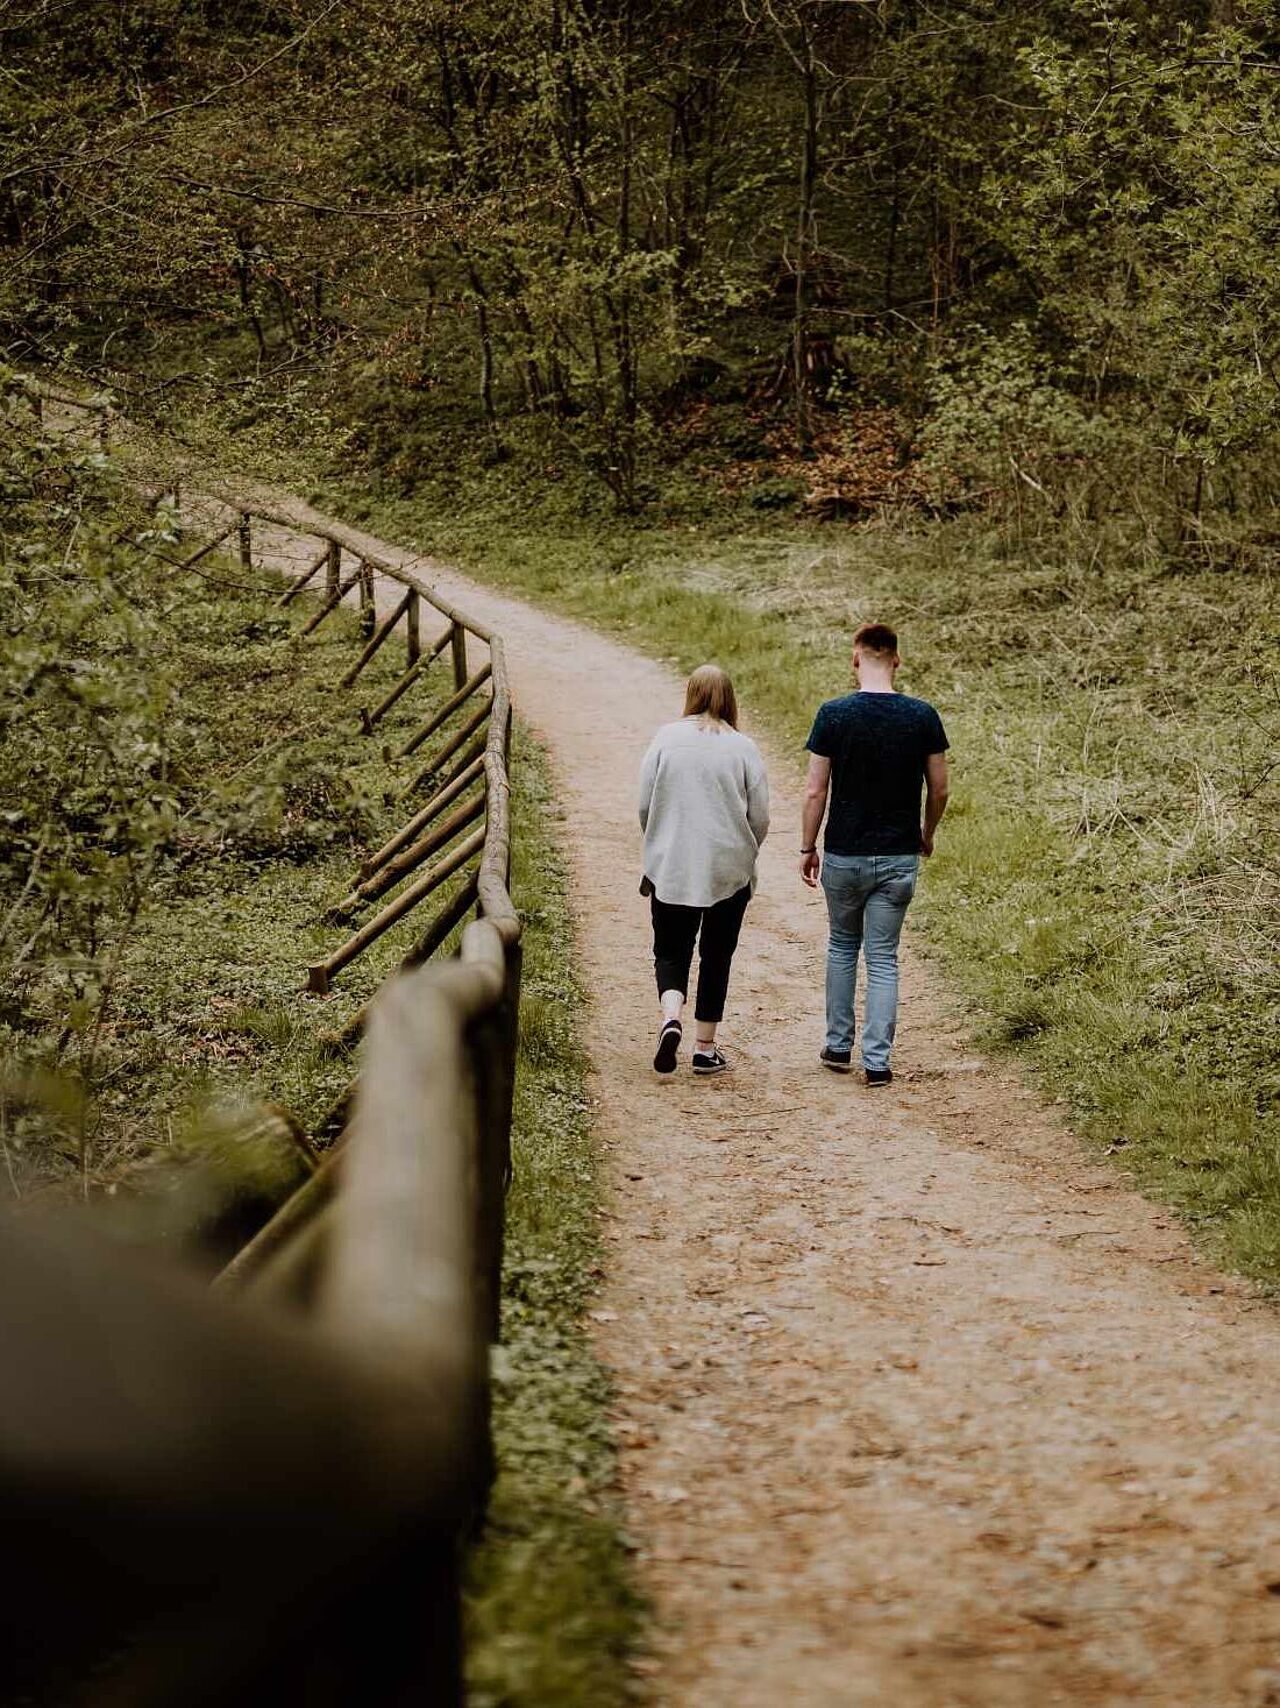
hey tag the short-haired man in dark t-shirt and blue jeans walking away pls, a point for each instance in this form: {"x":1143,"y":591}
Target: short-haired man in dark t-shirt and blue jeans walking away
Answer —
{"x":871,"y":754}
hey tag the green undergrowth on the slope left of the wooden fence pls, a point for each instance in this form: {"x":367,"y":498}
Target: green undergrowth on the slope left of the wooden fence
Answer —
{"x":184,"y":800}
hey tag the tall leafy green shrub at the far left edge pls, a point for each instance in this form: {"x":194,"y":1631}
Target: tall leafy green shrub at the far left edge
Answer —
{"x":88,"y":706}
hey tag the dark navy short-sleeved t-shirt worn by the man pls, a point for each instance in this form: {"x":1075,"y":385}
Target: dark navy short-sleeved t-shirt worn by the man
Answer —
{"x":878,"y":746}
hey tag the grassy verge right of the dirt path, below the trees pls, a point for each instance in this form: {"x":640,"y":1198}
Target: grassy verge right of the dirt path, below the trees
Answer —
{"x":1103,"y":889}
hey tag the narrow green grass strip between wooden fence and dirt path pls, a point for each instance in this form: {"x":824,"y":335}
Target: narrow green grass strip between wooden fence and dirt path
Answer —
{"x":551,"y":1608}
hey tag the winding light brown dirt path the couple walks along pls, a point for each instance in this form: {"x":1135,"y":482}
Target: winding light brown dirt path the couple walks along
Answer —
{"x":919,"y":1407}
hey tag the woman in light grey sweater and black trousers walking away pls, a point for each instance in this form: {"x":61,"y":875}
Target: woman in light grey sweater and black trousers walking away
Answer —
{"x":705,"y":814}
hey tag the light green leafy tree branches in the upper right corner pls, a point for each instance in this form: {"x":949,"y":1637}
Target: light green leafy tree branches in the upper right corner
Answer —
{"x":1146,"y":216}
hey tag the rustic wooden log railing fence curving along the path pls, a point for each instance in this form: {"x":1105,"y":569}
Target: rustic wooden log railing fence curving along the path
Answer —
{"x":273,"y":1483}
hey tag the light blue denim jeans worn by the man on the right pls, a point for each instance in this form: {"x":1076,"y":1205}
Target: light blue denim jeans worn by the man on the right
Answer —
{"x":867,"y":903}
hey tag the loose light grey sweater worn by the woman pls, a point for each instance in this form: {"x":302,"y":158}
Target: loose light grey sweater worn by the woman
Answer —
{"x":705,"y":812}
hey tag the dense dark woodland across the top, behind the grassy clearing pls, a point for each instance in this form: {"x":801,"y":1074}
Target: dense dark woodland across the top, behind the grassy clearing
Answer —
{"x":1042,"y":233}
